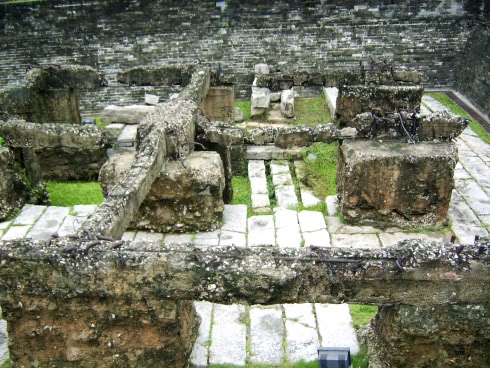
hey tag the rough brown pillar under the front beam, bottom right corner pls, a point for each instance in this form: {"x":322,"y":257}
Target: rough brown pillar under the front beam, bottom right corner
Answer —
{"x":445,"y":336}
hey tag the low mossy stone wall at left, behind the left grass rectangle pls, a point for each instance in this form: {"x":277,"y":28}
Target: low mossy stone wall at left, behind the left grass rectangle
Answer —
{"x":63,"y":152}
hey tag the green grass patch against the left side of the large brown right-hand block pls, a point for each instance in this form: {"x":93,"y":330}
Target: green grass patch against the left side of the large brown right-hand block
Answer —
{"x":321,"y":173}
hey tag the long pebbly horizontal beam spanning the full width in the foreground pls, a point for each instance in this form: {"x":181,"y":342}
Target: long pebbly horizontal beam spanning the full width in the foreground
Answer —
{"x":411,"y":273}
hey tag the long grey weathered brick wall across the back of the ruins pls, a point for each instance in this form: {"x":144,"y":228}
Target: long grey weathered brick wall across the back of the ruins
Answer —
{"x":113,"y":35}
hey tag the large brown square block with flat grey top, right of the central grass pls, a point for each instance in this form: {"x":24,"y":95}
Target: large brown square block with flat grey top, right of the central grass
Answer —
{"x":395,"y":184}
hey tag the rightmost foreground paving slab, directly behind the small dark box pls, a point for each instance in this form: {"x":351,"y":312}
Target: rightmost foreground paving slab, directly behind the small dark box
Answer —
{"x":335,"y":326}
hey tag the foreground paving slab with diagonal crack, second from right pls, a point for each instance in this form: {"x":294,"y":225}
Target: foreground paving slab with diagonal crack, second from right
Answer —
{"x":301,"y":333}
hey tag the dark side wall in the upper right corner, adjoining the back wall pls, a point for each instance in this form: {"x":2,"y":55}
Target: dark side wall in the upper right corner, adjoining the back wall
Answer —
{"x":473,"y":74}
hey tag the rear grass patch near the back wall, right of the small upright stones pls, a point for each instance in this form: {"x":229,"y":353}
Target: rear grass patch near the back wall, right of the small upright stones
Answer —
{"x":311,"y":111}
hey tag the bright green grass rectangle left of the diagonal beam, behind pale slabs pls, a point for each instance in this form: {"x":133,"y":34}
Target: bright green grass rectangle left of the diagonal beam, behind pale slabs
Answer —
{"x":72,"y":193}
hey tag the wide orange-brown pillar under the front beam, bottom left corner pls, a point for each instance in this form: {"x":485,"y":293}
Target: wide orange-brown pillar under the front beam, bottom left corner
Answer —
{"x":99,"y":332}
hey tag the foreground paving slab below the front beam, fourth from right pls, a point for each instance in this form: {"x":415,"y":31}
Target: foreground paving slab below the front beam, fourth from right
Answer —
{"x":228,"y":335}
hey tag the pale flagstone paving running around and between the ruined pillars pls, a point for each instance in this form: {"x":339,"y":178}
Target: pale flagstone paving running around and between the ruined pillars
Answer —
{"x":238,"y":334}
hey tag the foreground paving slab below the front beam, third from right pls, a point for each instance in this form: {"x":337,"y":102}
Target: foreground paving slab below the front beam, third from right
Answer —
{"x":266,"y":333}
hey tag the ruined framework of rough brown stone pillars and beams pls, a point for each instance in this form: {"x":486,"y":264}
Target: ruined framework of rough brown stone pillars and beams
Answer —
{"x":93,"y":300}
